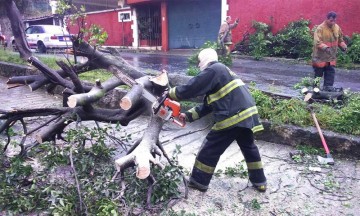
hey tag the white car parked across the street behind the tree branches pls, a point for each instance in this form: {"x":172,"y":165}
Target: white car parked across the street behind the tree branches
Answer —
{"x":44,"y":37}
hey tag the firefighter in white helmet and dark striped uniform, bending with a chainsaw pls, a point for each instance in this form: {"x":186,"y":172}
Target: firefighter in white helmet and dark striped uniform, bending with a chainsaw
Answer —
{"x":235,"y":115}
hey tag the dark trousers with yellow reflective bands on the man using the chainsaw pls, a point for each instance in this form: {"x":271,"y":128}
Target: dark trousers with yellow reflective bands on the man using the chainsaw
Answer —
{"x":213,"y":147}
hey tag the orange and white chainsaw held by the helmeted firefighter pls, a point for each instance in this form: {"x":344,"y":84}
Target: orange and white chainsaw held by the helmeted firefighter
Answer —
{"x":163,"y":106}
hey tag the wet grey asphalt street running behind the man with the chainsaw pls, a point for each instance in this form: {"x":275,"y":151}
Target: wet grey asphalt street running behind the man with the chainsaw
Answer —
{"x":272,"y":76}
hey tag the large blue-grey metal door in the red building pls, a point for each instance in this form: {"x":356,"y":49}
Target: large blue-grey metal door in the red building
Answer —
{"x":193,"y":22}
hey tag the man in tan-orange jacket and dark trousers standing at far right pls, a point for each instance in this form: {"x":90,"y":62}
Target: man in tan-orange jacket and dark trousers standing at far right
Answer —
{"x":327,"y":38}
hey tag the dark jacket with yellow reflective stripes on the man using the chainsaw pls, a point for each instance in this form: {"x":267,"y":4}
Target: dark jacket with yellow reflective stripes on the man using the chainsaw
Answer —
{"x":226,"y":96}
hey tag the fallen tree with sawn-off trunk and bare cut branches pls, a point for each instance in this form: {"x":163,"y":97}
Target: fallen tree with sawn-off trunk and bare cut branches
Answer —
{"x":80,"y":98}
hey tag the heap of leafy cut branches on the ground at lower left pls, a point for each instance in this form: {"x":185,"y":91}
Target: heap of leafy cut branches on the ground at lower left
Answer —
{"x":52,"y":189}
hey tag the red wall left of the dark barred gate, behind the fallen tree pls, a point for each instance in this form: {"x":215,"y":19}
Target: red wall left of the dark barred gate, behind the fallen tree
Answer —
{"x":109,"y":22}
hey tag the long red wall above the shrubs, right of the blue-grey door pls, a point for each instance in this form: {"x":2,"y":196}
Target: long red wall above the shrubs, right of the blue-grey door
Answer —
{"x":285,"y":11}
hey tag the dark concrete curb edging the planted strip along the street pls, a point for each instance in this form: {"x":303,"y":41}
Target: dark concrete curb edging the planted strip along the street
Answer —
{"x":281,"y":134}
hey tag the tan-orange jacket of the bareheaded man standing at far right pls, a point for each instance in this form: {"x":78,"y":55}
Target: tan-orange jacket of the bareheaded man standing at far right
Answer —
{"x":325,"y":37}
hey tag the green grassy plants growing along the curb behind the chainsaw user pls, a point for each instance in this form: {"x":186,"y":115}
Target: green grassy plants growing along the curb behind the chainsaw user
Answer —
{"x":342,"y":119}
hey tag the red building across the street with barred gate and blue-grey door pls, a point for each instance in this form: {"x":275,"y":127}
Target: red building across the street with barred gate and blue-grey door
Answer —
{"x":181,"y":24}
